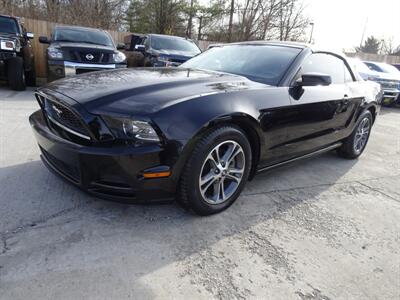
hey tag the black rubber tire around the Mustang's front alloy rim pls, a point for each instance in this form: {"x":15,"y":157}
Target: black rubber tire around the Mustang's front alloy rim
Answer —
{"x":195,"y":199}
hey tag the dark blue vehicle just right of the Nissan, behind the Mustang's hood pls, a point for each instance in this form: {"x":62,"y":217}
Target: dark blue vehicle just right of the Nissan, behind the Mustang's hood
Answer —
{"x":164,"y":50}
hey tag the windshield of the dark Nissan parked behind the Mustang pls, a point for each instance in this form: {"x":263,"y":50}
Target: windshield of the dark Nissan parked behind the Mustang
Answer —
{"x":82,"y":36}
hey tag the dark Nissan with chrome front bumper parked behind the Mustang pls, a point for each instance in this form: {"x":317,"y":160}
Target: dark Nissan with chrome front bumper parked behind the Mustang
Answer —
{"x":75,"y":50}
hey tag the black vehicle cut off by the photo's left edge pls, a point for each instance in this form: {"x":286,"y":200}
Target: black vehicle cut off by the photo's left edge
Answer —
{"x":17,"y":64}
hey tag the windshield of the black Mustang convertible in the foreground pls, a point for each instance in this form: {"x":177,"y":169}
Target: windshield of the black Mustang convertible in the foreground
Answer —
{"x":261,"y":63}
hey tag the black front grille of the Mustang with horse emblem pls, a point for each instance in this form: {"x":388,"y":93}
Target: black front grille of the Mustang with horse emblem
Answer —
{"x":62,"y":118}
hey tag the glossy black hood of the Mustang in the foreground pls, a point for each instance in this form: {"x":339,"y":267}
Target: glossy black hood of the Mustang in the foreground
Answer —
{"x":145,"y":90}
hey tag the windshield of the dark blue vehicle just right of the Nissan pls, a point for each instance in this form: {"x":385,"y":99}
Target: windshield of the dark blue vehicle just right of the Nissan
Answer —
{"x":174,"y":44}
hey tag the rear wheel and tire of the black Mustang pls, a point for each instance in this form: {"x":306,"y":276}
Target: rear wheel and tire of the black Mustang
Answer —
{"x":354,"y":145}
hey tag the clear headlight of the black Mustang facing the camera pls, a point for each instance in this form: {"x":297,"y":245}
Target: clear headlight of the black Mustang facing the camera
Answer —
{"x":129,"y":129}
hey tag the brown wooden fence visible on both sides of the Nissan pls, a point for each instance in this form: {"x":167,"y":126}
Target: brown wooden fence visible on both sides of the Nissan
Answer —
{"x":44,"y":28}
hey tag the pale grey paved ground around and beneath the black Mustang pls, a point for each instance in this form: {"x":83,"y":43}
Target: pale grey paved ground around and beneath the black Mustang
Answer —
{"x":325,"y":228}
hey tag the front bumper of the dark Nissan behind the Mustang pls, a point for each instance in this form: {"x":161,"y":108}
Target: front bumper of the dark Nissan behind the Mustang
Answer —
{"x":60,"y":69}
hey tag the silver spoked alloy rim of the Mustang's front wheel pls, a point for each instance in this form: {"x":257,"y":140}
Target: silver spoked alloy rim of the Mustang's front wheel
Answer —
{"x":222,"y":172}
